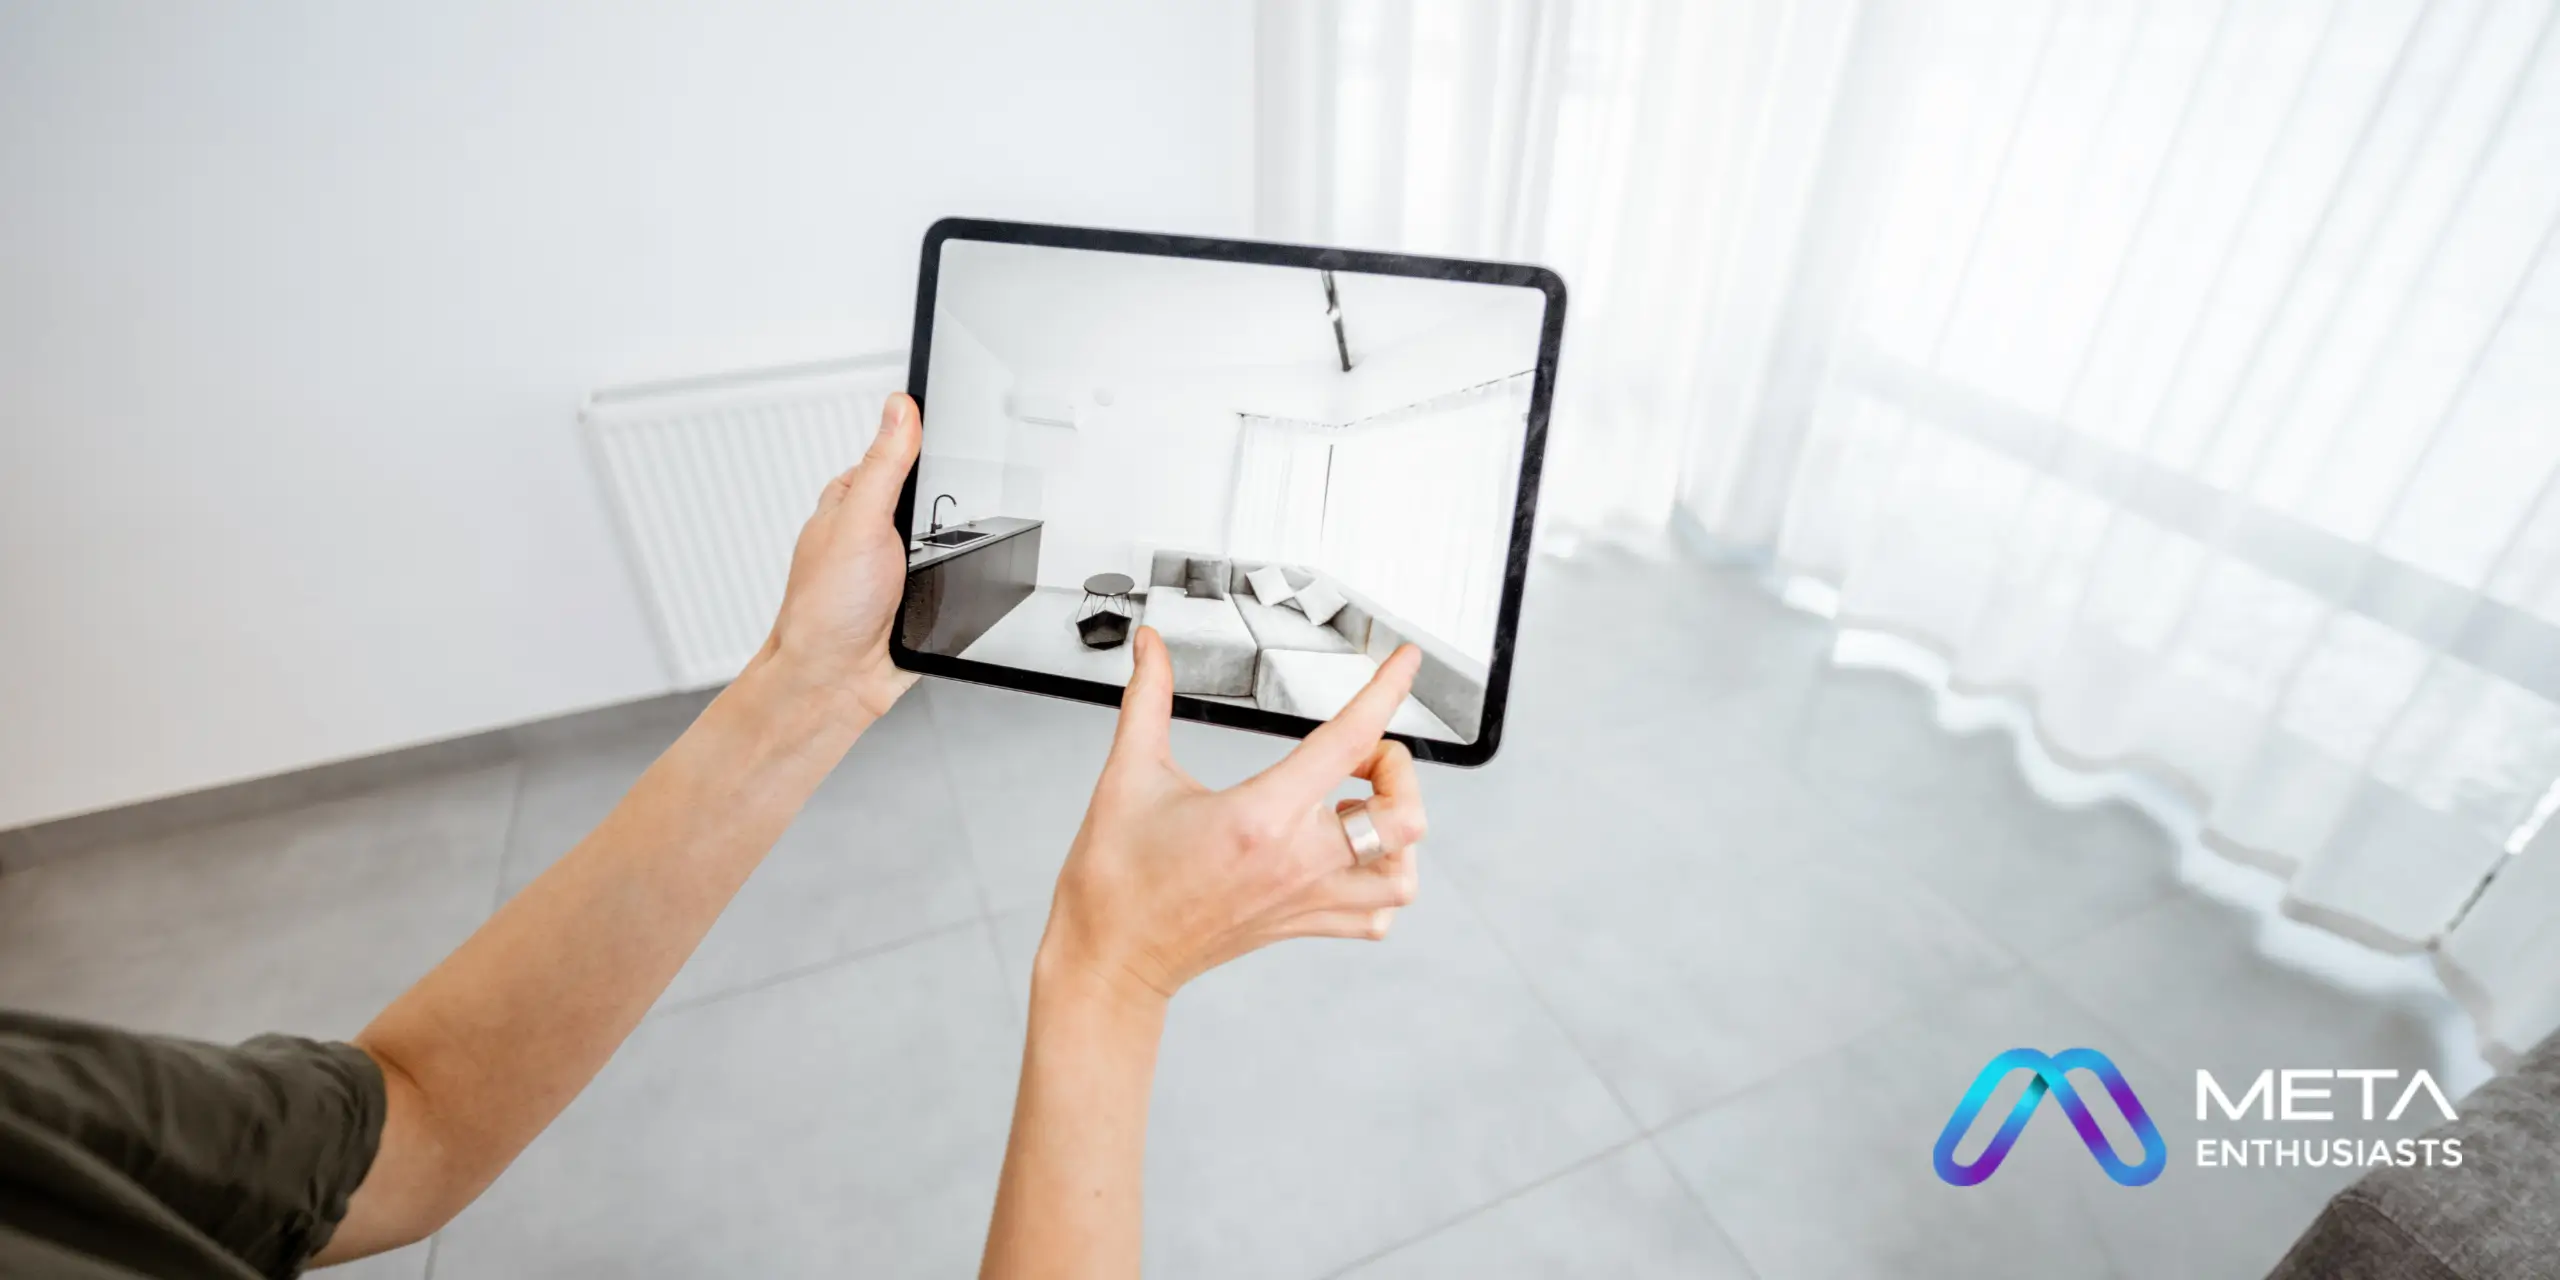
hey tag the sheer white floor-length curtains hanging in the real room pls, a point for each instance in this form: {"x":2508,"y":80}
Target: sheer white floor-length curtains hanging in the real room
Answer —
{"x":2188,"y":370}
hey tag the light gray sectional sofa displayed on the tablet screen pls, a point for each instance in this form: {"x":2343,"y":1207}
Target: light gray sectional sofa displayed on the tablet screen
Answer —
{"x":1207,"y":641}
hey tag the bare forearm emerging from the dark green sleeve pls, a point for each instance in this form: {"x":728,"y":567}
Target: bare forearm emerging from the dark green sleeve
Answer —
{"x":490,"y":1046}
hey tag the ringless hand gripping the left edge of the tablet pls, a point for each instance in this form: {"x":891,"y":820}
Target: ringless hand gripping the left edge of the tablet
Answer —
{"x":849,"y":575}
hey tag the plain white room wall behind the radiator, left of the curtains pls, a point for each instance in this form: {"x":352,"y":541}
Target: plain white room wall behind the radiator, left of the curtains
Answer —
{"x":298,"y":306}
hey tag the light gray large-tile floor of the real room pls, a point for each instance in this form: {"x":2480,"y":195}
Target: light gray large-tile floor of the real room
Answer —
{"x":1701,"y":966}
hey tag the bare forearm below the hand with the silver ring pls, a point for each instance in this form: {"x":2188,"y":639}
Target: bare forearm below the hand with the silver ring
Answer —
{"x":1069,"y":1202}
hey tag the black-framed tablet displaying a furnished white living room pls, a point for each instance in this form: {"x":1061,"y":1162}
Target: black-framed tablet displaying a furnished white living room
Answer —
{"x":1284,"y":460}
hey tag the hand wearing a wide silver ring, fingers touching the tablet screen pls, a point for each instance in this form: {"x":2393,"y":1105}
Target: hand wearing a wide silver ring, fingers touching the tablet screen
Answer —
{"x":1171,"y":879}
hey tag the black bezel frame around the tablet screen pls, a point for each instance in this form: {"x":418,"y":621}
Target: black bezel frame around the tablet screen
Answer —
{"x":1268,"y":255}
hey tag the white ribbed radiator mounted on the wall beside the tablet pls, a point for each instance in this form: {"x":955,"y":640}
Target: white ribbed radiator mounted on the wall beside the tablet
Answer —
{"x":710,"y":483}
